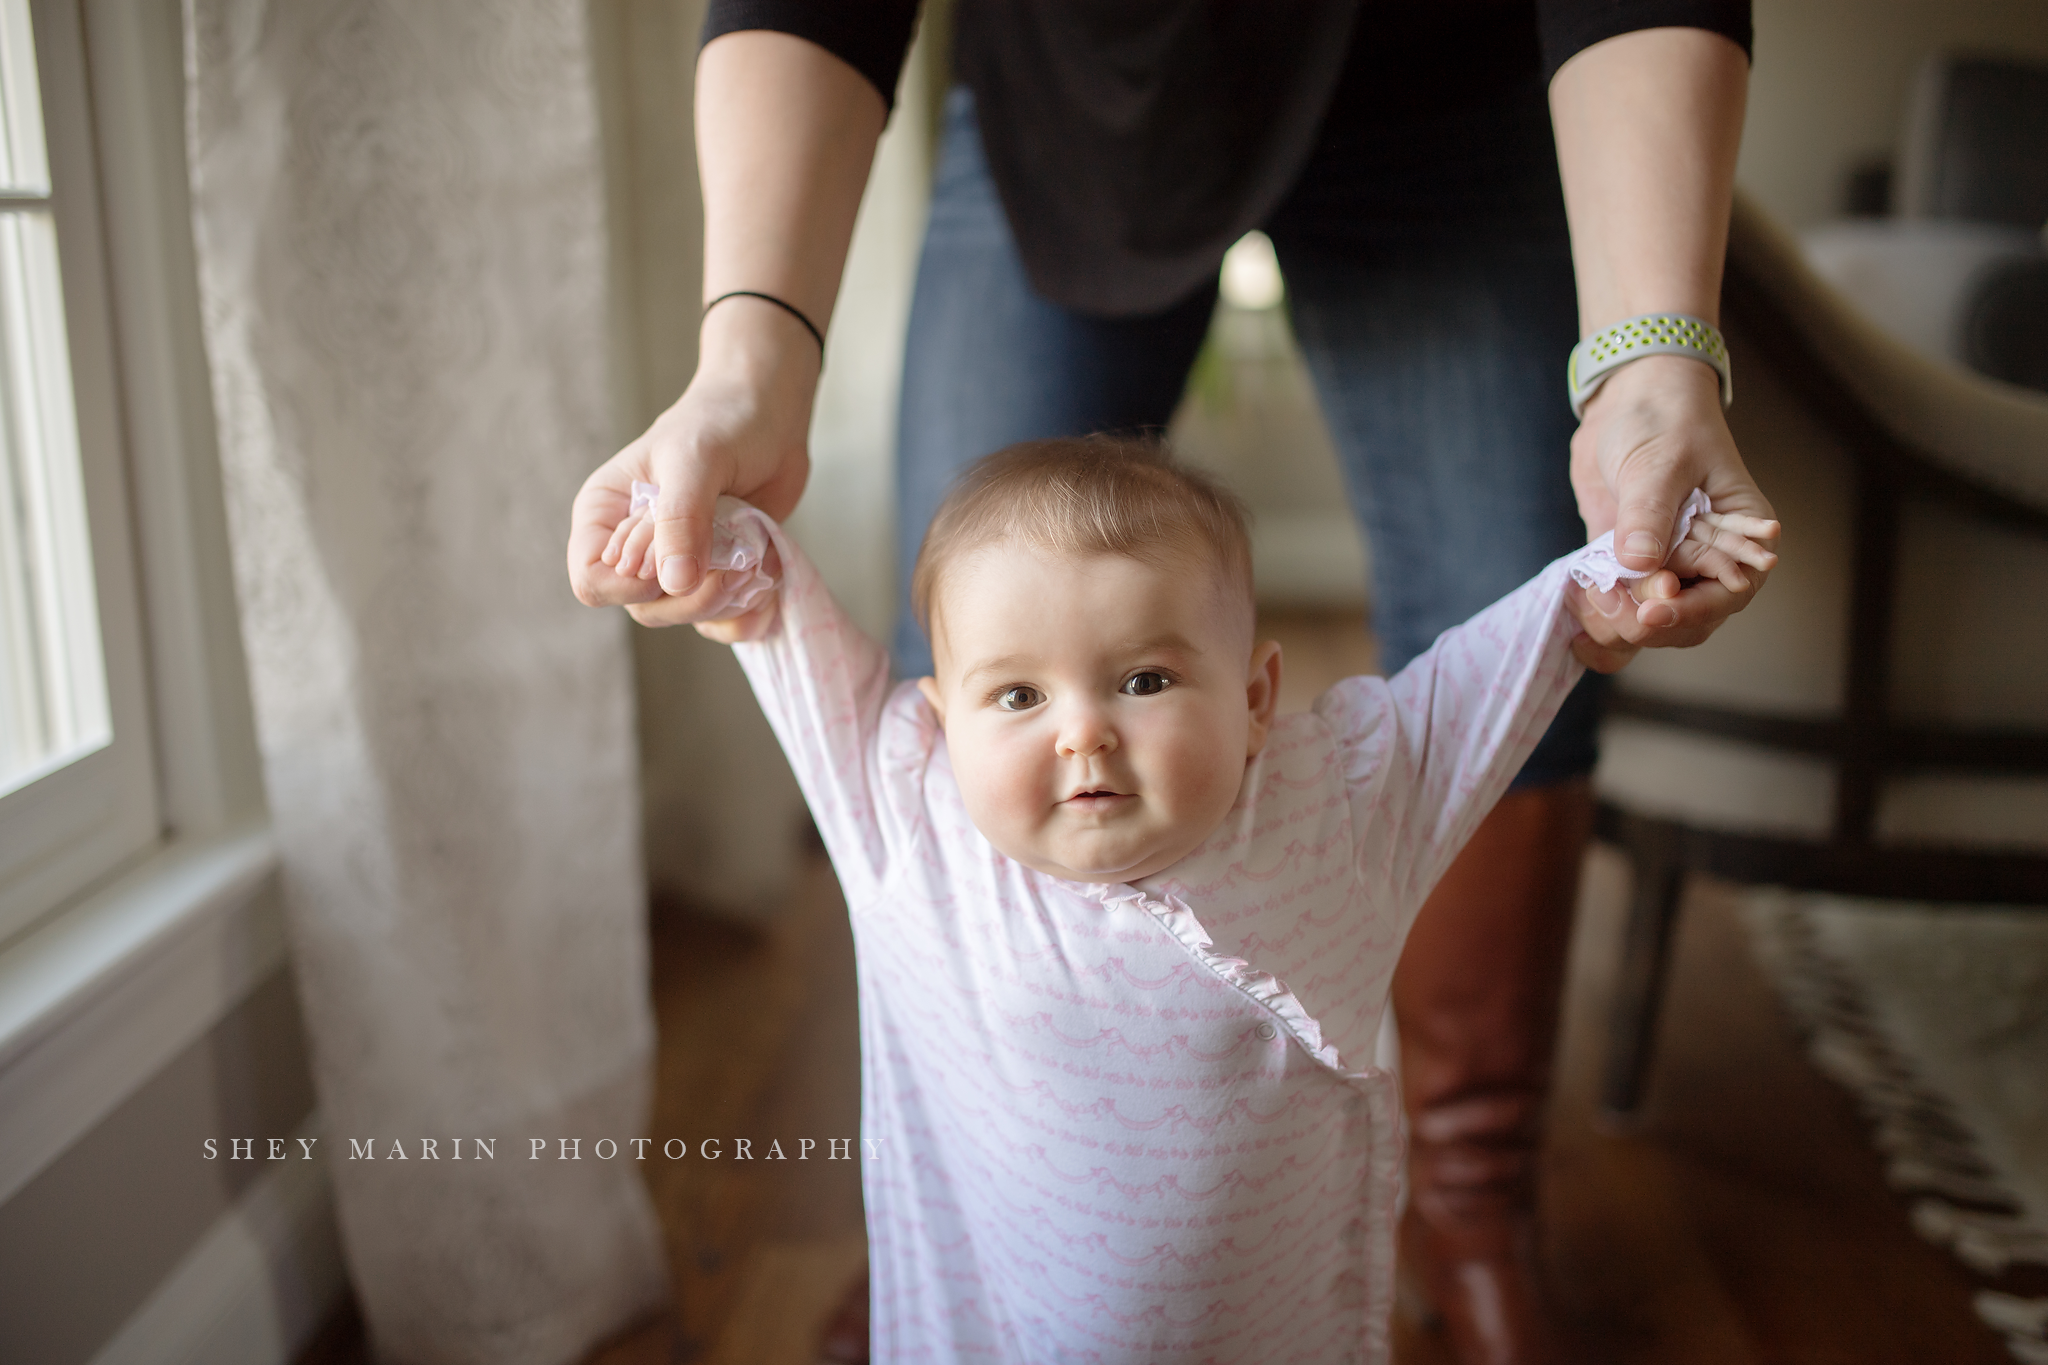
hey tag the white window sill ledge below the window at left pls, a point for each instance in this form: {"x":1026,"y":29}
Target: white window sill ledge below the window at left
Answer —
{"x":101,"y":998}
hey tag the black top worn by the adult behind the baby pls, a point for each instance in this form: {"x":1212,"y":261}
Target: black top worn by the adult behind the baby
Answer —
{"x":1136,"y":140}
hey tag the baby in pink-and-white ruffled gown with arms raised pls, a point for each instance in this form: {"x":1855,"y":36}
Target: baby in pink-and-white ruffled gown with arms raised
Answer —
{"x":1125,"y":934}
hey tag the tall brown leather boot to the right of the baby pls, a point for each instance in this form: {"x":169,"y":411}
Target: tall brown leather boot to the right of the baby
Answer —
{"x":1478,"y":1002}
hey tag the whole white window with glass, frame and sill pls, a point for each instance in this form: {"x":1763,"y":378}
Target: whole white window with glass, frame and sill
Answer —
{"x":136,"y":865}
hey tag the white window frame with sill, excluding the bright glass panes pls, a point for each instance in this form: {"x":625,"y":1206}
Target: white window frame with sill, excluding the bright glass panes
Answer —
{"x":169,"y":914}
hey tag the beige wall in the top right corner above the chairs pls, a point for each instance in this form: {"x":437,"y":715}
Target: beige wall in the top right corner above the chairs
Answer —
{"x":1832,"y":79}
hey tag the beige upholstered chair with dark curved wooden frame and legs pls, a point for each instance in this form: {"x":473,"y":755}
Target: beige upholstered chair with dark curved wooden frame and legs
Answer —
{"x":1877,"y":723}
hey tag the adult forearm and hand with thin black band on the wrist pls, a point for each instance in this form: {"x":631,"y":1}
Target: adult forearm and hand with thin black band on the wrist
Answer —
{"x":785,"y":136}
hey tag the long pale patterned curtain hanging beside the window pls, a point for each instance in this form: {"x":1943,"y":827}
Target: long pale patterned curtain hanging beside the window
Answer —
{"x":400,"y":234}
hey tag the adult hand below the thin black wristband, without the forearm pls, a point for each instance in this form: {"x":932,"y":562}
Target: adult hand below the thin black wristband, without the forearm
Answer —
{"x":740,"y":429}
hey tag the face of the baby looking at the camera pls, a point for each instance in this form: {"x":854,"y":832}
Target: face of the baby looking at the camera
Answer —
{"x":1099,"y":711}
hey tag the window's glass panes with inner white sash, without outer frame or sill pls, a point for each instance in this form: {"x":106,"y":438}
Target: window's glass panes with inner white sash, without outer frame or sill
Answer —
{"x":77,"y":777}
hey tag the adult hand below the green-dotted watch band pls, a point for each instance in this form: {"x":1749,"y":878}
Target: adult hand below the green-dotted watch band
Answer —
{"x":1652,"y":435}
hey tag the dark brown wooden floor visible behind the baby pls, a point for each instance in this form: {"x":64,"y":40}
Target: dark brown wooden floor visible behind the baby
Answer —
{"x":1742,"y":1223}
